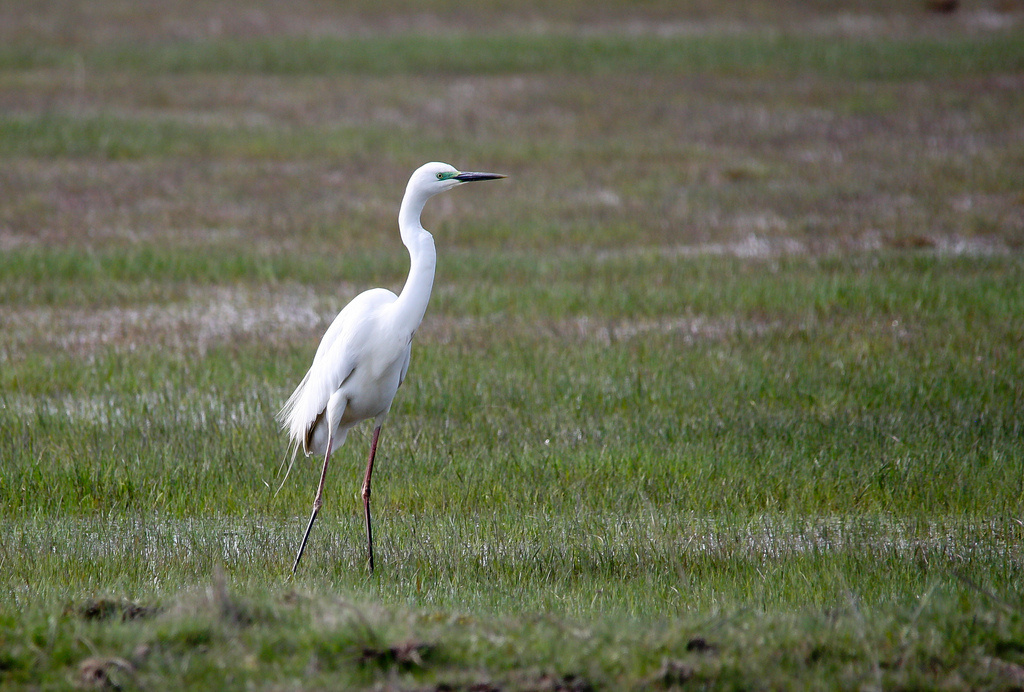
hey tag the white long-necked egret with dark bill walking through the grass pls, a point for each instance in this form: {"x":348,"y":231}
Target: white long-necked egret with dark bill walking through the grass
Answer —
{"x":364,"y":357}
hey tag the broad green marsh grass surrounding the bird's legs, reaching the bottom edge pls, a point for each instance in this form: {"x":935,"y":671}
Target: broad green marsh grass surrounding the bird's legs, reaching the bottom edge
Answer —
{"x":689,"y":488}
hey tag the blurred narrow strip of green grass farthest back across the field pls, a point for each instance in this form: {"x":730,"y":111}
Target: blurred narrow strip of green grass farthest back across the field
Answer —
{"x":752,"y":56}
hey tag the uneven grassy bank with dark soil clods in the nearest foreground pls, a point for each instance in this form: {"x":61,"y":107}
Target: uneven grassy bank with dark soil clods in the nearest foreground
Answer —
{"x":316,"y":637}
